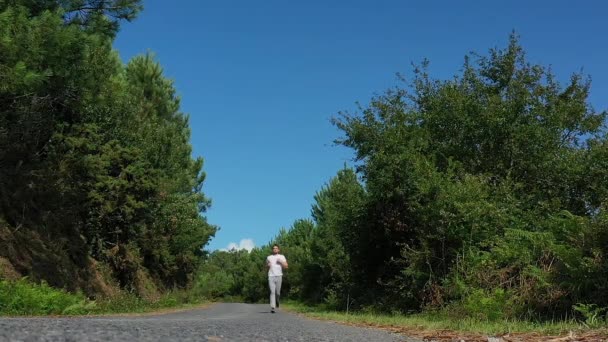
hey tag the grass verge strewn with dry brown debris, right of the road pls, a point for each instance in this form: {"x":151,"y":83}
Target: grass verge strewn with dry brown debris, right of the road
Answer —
{"x":427,"y":323}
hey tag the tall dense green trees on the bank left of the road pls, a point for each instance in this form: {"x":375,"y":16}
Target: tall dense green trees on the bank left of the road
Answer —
{"x":97,"y":183}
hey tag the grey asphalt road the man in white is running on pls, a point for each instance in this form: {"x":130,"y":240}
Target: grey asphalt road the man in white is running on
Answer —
{"x":220,"y":322}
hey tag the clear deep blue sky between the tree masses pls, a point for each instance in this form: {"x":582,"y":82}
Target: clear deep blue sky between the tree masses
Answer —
{"x":261,"y":79}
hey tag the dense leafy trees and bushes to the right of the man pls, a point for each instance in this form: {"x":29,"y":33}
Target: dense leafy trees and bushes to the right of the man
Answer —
{"x":485,"y":195}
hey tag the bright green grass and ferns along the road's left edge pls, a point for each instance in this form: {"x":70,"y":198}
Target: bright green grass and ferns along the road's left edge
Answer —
{"x":24,"y":298}
